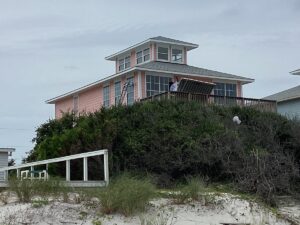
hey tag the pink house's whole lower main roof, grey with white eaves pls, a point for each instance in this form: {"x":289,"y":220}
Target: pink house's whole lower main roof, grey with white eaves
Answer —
{"x":163,"y":67}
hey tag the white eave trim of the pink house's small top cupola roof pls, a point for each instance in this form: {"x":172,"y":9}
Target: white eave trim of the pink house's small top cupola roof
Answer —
{"x":186,"y":44}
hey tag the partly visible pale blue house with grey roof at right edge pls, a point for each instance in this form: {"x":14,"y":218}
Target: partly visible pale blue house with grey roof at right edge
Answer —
{"x":288,"y":101}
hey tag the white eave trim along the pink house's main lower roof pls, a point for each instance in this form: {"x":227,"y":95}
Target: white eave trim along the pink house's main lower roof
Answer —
{"x":91,"y":85}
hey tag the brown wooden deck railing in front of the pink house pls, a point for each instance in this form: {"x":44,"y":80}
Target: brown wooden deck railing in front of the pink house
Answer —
{"x":259,"y":104}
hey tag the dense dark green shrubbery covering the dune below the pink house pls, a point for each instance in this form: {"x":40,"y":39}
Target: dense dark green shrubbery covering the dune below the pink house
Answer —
{"x":172,"y":140}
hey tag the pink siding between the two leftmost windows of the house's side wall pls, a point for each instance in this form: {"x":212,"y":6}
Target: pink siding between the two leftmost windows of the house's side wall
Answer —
{"x":90,"y":100}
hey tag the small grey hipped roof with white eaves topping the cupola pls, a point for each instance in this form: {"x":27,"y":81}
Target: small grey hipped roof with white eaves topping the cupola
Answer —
{"x":158,"y":39}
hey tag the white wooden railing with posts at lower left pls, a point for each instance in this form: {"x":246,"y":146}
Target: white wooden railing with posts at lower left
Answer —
{"x":67,"y":159}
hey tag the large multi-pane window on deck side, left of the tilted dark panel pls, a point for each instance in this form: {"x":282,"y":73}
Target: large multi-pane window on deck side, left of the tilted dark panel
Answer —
{"x":156,"y":84}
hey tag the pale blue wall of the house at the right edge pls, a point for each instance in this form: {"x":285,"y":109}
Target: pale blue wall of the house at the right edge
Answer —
{"x":290,"y":109}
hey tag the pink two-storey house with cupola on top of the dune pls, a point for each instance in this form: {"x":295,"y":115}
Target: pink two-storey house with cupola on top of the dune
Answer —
{"x":149,"y":66}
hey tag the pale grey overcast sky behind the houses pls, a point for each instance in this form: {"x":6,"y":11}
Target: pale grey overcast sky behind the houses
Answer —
{"x":50,"y":47}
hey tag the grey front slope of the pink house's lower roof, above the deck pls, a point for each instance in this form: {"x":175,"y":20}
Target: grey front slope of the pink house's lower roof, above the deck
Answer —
{"x":190,"y":70}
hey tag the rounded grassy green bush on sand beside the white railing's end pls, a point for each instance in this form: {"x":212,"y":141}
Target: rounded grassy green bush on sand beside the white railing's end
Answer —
{"x":126,"y":195}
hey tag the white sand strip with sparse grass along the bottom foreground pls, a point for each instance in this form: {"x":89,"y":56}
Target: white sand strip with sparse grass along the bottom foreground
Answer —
{"x":223,"y":208}
